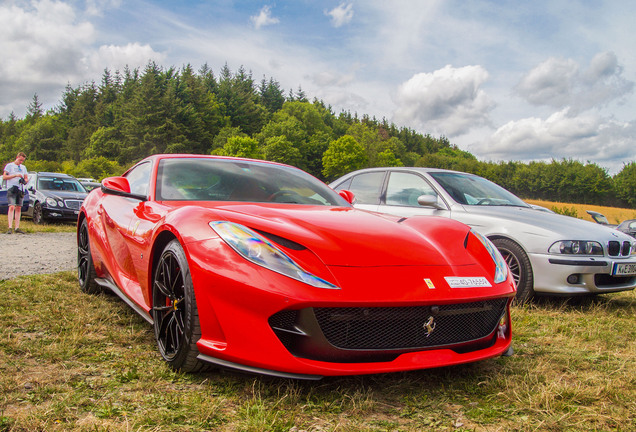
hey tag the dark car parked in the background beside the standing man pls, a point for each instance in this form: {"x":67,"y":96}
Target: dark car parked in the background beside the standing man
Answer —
{"x":54,"y":197}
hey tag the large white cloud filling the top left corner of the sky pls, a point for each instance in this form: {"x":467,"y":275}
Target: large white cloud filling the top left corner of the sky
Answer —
{"x":45,"y":46}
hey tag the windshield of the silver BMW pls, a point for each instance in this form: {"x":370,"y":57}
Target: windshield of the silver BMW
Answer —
{"x":470,"y":189}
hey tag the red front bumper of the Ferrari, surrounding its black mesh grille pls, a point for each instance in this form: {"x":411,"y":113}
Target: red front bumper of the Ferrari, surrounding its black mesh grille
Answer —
{"x":257,"y":320}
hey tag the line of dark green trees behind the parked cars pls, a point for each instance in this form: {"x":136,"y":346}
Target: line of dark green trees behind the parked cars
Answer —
{"x":98,"y":130}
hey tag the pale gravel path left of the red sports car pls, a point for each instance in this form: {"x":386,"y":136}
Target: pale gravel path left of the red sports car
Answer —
{"x":37,"y":253}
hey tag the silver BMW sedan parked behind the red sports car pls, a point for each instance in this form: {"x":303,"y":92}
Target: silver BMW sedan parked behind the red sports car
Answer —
{"x":547,"y":253}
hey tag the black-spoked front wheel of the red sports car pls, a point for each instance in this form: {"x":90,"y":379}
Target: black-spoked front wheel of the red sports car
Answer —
{"x":174,"y":312}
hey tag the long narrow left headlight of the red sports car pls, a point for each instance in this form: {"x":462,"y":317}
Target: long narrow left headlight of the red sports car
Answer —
{"x":257,"y":249}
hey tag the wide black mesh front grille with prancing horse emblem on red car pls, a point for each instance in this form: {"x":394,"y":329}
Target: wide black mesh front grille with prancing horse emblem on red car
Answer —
{"x":383,"y":333}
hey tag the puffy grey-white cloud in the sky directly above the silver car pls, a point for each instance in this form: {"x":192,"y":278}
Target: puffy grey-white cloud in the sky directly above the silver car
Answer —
{"x":449,"y":101}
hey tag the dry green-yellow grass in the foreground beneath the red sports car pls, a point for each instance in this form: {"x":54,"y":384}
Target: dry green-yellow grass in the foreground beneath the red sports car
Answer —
{"x":76,"y":362}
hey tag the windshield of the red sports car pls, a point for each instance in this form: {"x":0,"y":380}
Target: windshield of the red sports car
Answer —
{"x":201,"y":179}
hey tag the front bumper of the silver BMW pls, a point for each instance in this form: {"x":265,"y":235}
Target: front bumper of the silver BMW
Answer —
{"x":562,"y":275}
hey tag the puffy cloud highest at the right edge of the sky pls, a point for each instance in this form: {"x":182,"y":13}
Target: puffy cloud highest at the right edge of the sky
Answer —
{"x":561,"y":83}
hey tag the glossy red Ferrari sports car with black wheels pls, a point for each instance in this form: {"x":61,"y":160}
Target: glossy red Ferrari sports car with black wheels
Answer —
{"x":259,"y":266}
